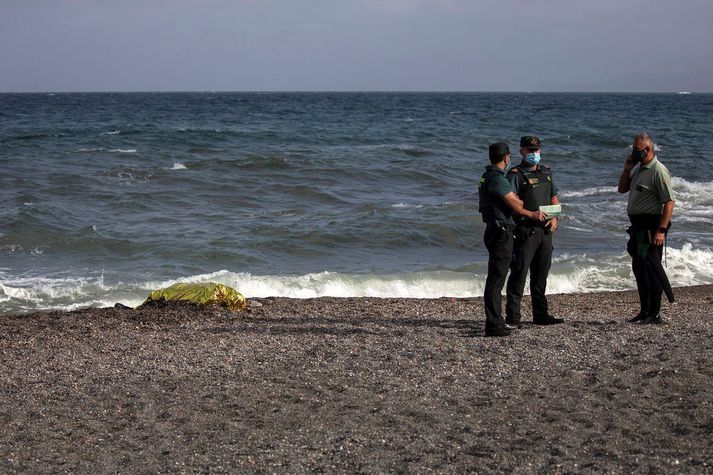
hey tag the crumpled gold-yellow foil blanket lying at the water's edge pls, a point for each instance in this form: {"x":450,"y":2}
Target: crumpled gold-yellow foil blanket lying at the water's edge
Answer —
{"x":202,"y":294}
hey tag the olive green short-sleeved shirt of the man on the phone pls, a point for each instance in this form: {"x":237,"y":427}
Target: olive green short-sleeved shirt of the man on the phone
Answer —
{"x":650,"y":189}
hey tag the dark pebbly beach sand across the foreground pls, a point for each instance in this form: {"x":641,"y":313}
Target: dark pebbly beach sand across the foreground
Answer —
{"x":359,"y":385}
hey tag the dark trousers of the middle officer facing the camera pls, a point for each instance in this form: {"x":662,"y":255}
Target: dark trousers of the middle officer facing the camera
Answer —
{"x":533,"y":253}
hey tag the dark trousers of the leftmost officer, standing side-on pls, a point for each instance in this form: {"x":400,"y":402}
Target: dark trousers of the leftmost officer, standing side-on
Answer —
{"x":499,"y":242}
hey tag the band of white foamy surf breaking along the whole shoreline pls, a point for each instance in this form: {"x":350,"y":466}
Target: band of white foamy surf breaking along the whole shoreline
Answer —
{"x":570,"y":273}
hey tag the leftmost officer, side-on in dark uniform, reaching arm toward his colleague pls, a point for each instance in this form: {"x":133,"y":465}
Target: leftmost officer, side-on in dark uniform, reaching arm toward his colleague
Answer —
{"x":497,"y":203}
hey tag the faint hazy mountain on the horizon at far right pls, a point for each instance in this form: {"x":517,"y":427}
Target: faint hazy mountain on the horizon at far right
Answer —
{"x":698,"y":81}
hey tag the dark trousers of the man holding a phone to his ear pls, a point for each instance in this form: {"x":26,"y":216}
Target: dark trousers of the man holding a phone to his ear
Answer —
{"x":650,"y":290}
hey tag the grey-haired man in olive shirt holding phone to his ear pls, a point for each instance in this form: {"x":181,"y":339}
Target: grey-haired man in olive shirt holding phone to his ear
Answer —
{"x":650,"y":209}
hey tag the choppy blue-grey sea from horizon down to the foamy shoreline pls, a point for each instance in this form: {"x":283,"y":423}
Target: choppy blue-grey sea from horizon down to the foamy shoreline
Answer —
{"x":104,"y":197}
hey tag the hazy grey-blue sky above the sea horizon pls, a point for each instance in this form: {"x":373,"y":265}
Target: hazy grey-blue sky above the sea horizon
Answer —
{"x":356,"y":45}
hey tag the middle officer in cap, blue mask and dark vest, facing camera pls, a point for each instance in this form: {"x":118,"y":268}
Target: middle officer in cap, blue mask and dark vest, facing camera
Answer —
{"x":532,"y":182}
